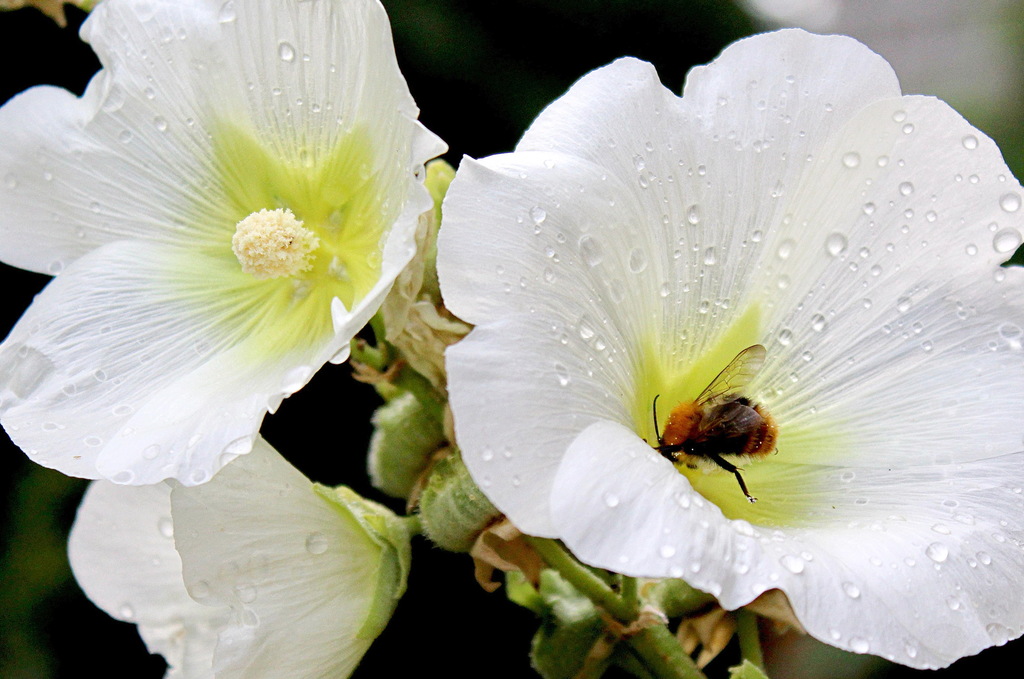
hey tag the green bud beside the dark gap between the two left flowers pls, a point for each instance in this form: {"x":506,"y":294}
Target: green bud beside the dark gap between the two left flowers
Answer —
{"x":406,"y":436}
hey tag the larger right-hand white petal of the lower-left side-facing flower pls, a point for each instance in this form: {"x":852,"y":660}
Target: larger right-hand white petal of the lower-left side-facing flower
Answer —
{"x":298,"y":573}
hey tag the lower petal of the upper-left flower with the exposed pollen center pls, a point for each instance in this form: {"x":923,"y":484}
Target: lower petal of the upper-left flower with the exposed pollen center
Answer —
{"x":119,"y":370}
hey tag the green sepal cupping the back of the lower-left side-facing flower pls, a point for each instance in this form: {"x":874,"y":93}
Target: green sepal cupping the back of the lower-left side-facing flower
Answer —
{"x":394,"y":536}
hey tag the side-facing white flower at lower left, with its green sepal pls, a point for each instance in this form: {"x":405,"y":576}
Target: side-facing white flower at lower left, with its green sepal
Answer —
{"x":272,"y":576}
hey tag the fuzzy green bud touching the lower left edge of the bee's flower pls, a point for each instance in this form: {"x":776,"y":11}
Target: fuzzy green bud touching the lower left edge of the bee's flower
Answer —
{"x":453,"y":510}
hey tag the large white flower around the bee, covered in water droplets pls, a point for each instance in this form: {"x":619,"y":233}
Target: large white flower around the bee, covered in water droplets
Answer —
{"x":635,"y":243}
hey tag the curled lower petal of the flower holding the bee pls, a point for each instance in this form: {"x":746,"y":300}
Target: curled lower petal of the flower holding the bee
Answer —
{"x":915,"y":566}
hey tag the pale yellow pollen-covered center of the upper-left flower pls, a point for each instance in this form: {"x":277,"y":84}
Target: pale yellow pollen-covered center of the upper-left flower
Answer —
{"x":273,"y":244}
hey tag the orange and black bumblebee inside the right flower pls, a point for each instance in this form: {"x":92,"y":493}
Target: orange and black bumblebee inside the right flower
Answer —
{"x":721,"y":422}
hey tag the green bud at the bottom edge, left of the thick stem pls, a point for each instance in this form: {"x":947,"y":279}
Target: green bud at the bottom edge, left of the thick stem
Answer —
{"x":571,"y":627}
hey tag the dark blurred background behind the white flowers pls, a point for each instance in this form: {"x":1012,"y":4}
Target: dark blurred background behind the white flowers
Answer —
{"x":481,"y":72}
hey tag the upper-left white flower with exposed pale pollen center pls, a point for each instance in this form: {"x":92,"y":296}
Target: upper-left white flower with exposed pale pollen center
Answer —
{"x":283,"y":126}
